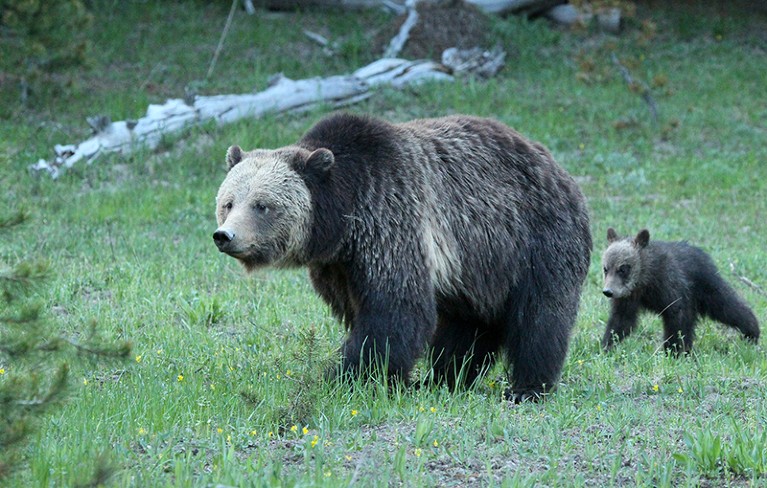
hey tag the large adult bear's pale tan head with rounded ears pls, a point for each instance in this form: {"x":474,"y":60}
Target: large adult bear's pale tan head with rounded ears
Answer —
{"x":264,"y":208}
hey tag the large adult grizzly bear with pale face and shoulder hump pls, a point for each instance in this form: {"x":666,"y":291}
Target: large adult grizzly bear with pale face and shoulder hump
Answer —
{"x":455,"y":233}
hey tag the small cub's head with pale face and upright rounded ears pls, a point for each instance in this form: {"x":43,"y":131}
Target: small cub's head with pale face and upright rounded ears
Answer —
{"x":622,"y":263}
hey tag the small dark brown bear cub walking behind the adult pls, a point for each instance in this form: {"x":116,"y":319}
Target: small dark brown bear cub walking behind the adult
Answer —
{"x":677,"y":281}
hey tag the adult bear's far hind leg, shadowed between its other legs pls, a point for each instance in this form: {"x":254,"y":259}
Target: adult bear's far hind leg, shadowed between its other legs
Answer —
{"x":461,"y":352}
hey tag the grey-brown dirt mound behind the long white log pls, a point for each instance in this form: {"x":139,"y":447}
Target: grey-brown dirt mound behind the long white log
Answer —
{"x":440,"y":26}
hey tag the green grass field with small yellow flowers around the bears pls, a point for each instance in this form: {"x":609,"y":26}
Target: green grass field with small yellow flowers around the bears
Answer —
{"x":225,"y":387}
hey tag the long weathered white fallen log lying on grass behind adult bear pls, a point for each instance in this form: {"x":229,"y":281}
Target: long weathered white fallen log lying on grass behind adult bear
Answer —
{"x":284,"y":95}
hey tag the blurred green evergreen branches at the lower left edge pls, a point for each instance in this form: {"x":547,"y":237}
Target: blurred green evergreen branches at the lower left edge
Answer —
{"x":34,"y":356}
